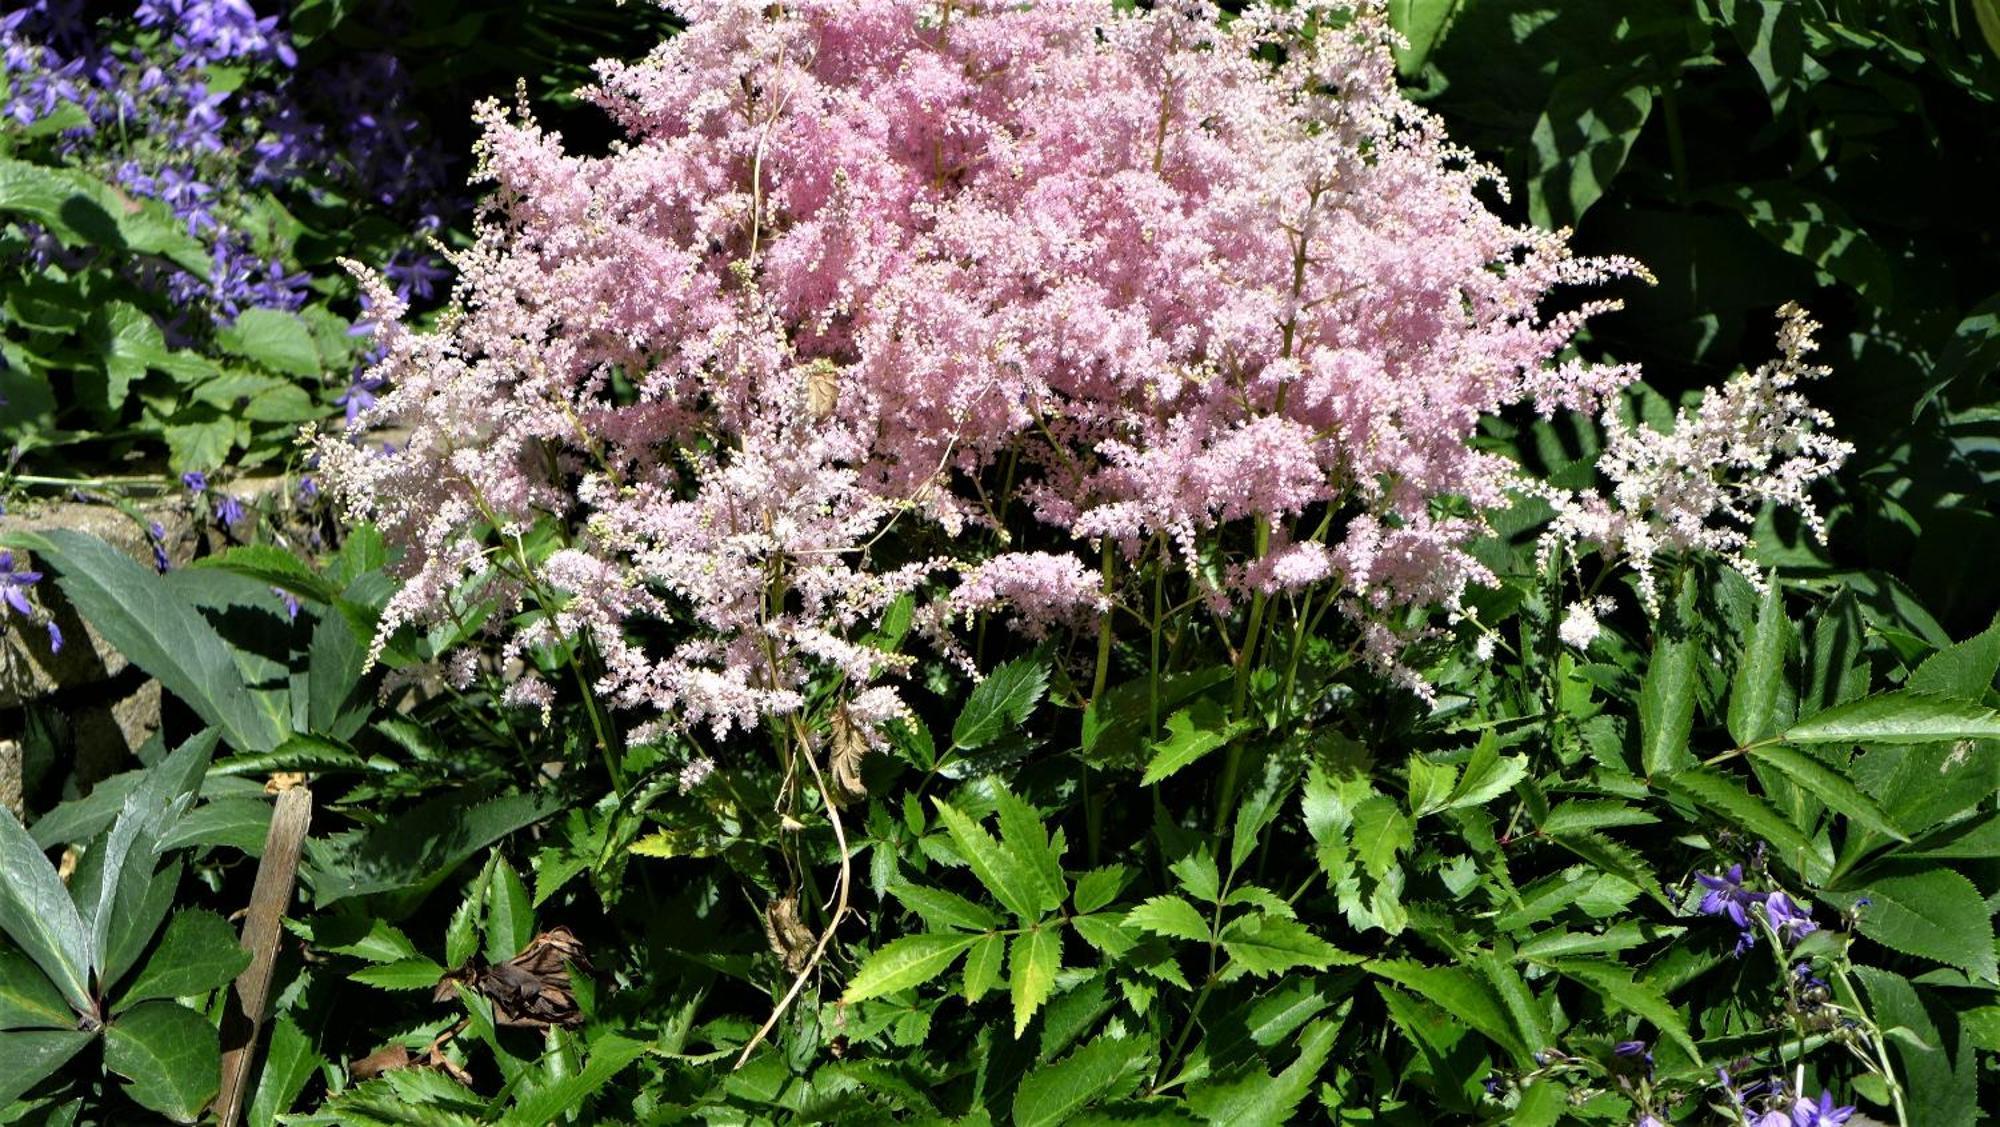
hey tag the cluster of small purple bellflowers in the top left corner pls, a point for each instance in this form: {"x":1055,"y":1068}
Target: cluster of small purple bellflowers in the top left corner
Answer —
{"x":149,"y":119}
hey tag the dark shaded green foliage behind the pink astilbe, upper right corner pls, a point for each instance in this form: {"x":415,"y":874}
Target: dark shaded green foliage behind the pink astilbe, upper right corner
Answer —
{"x":1835,"y":153}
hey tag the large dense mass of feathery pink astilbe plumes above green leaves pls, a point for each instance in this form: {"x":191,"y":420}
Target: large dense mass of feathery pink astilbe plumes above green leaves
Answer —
{"x":853,"y":257}
